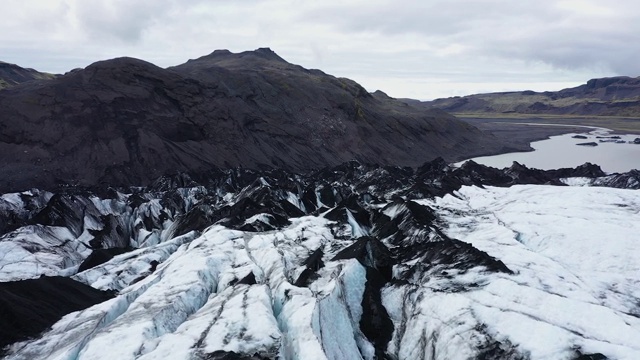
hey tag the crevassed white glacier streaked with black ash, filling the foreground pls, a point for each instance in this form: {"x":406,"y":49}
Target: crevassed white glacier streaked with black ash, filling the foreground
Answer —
{"x":350,"y":262}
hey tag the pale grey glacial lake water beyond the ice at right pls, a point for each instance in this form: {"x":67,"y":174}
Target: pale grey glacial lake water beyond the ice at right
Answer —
{"x":561,"y":151}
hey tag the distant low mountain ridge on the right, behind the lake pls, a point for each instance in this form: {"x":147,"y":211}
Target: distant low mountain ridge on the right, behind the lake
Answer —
{"x":614,"y":96}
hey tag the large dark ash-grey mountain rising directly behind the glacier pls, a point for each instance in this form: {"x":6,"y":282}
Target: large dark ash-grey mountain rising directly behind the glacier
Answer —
{"x":125,"y":122}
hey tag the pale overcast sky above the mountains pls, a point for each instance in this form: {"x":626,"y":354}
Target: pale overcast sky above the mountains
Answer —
{"x":419,"y":49}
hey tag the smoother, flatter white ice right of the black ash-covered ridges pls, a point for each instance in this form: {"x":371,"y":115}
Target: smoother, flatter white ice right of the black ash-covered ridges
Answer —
{"x":576,"y":257}
